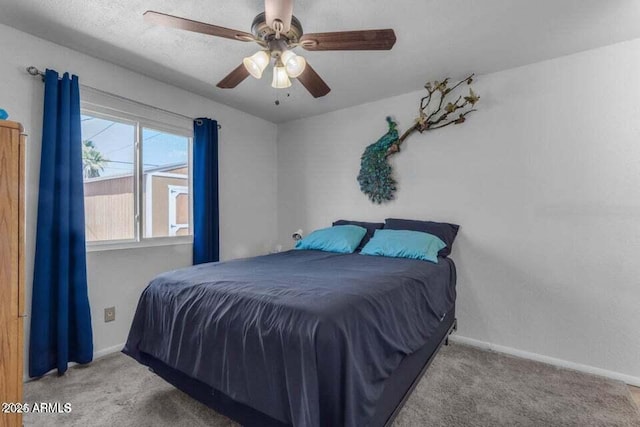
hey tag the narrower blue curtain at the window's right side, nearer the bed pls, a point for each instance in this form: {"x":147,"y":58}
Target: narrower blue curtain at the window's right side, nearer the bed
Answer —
{"x":206,"y":227}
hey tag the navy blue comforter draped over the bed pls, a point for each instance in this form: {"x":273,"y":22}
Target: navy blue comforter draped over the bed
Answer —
{"x":307,"y":337}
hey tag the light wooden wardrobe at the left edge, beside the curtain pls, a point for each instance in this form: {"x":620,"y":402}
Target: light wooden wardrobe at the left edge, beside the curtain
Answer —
{"x":12,"y":165}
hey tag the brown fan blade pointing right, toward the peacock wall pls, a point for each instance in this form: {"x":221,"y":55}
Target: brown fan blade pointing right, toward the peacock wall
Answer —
{"x":350,"y":40}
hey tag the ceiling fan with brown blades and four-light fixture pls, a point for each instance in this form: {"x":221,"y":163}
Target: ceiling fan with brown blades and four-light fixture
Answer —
{"x":278,"y":32}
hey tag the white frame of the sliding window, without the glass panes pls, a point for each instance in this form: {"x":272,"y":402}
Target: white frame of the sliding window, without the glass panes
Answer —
{"x":140,"y":123}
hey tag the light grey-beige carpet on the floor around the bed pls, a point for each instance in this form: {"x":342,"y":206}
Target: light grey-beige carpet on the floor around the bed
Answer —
{"x":463,"y":387}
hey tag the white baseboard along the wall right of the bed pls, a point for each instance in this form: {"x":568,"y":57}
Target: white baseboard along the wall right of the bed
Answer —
{"x":631,"y":380}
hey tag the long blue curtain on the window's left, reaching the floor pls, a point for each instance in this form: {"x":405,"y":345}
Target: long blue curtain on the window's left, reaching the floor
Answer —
{"x":60,"y":315}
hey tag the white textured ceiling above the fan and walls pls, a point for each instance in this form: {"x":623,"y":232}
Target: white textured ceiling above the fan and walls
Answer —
{"x":435,"y":38}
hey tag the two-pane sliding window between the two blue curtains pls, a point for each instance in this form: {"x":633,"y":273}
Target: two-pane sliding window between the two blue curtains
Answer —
{"x":134,"y":191}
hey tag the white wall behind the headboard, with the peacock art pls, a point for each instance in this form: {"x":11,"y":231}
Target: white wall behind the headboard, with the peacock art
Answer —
{"x":545,"y":182}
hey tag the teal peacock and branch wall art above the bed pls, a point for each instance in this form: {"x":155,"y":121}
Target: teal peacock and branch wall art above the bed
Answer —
{"x":375,"y":177}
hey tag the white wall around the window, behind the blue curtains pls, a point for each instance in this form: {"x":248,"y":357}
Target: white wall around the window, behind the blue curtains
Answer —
{"x":248,"y":209}
